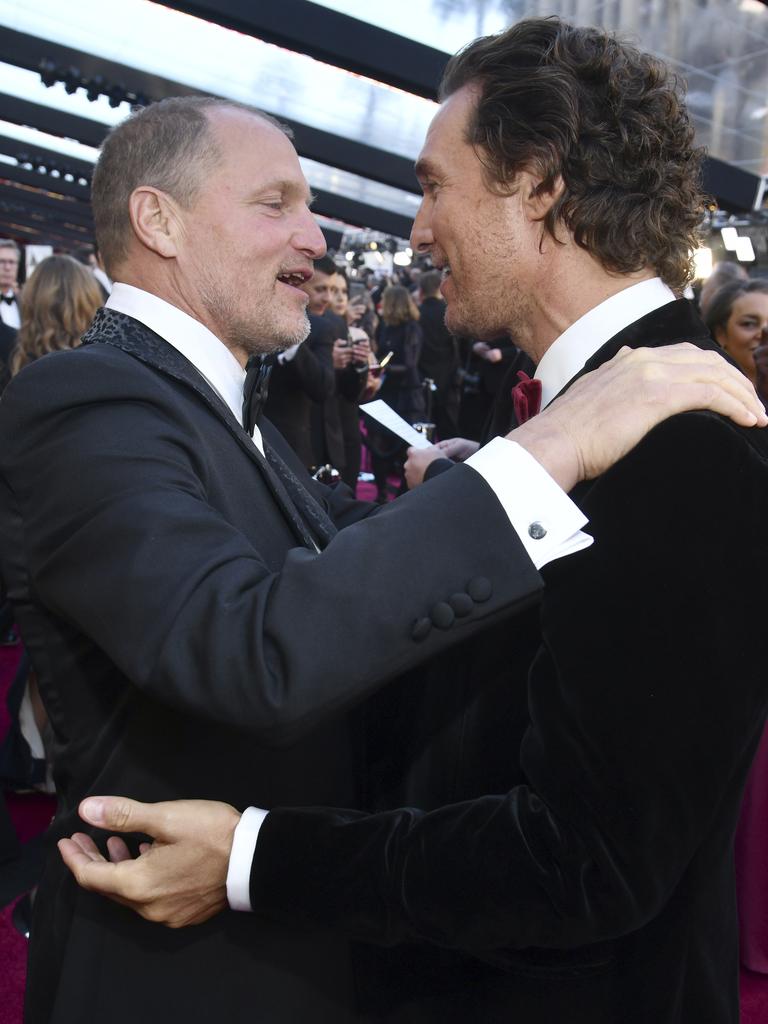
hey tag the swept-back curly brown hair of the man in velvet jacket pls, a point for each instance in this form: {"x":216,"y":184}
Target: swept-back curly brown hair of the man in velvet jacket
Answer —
{"x":610,"y":120}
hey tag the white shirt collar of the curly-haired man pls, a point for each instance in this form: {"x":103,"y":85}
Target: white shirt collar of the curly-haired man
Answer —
{"x":568,"y":355}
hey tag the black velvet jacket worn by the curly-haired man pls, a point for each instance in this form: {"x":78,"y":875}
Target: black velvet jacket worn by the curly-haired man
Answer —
{"x":575,"y":861}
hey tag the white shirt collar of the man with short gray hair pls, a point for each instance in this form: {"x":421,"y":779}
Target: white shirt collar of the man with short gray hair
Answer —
{"x":208,"y":355}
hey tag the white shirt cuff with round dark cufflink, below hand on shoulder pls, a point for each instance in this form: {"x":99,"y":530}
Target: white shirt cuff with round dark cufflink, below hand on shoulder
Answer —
{"x":544,"y":518}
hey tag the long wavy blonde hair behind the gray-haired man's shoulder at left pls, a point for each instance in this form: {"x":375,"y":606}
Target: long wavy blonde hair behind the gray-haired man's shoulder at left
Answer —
{"x":59,"y":304}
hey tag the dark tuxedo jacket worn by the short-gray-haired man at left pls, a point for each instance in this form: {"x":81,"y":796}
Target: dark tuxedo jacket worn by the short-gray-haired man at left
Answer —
{"x":188,"y":644}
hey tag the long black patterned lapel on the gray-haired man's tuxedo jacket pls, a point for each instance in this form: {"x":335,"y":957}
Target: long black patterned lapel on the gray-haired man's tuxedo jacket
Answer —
{"x":111,"y":328}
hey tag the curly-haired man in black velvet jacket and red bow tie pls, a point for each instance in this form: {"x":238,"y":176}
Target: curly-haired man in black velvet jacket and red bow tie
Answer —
{"x":576,"y":862}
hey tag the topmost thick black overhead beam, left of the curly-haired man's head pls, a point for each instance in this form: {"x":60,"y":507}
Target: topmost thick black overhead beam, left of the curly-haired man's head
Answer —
{"x":336,"y":39}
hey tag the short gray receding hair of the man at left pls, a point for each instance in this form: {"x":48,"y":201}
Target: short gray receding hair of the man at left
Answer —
{"x":168,"y":146}
